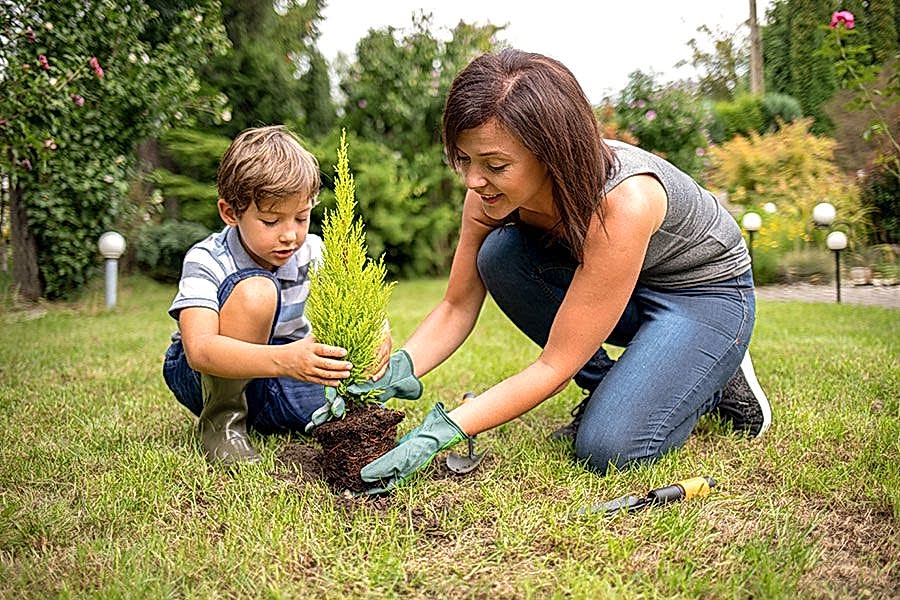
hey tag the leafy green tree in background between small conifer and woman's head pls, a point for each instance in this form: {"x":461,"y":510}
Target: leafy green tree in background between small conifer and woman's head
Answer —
{"x":394,"y":95}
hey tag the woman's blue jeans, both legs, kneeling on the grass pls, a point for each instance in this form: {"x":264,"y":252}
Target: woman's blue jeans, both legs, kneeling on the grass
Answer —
{"x":681,"y":347}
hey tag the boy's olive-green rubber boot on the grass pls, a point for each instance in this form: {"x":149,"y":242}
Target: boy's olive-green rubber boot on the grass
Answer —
{"x":223,"y":422}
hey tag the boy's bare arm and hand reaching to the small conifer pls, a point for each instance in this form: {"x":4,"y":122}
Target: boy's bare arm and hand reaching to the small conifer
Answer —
{"x":210,"y":352}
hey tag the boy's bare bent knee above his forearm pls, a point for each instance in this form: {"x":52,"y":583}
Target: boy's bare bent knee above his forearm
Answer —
{"x":249,"y":311}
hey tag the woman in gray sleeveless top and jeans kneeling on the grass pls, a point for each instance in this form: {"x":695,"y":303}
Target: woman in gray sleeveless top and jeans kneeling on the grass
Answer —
{"x":582,"y":241}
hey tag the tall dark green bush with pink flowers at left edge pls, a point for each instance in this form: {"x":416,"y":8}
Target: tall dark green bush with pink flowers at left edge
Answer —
{"x":85,"y":81}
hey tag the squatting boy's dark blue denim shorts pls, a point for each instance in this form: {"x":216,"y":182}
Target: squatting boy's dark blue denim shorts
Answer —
{"x":274,"y":405}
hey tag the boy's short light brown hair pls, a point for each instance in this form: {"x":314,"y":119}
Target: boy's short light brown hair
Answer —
{"x":265,"y":164}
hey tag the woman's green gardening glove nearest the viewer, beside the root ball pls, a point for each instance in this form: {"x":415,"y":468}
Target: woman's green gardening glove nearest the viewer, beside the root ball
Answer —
{"x":415,"y":451}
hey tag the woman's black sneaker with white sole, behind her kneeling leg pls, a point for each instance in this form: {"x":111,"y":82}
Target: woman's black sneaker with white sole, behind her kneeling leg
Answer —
{"x":744,"y":403}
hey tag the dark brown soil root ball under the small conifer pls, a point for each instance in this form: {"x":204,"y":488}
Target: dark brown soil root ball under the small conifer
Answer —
{"x":366,"y":432}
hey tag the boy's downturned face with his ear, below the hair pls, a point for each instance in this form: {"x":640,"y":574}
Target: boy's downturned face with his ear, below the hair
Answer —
{"x":271,"y":234}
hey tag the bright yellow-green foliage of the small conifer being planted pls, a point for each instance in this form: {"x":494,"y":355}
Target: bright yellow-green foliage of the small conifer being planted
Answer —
{"x":348,"y":296}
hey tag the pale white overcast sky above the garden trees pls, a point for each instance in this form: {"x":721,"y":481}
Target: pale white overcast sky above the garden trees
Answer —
{"x":600,"y":41}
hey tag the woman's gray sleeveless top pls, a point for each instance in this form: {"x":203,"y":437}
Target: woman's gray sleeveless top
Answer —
{"x":698,"y":241}
